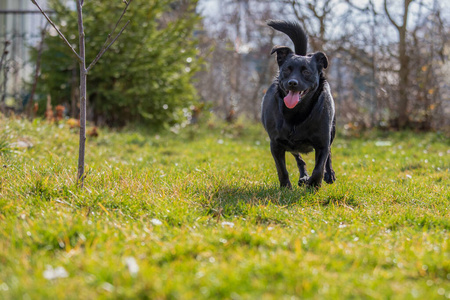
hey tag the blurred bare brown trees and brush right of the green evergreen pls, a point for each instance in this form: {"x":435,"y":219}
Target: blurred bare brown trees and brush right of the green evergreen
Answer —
{"x":377,"y":76}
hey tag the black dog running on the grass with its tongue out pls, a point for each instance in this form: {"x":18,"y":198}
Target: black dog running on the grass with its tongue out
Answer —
{"x":298,"y":109}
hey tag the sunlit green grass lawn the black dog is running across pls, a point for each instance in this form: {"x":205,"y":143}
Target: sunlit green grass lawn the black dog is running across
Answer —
{"x":201,"y":214}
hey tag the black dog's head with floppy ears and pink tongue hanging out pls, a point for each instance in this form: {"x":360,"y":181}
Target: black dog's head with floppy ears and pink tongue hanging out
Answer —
{"x":299,"y":75}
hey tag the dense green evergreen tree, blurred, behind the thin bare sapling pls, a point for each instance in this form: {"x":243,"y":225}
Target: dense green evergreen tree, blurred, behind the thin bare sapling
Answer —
{"x":145,"y":77}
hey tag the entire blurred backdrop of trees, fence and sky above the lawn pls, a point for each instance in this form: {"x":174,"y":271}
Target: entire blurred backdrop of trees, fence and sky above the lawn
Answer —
{"x":179,"y":62}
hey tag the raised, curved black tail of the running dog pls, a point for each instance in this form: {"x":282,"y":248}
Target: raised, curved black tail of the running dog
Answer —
{"x":294,"y":31}
